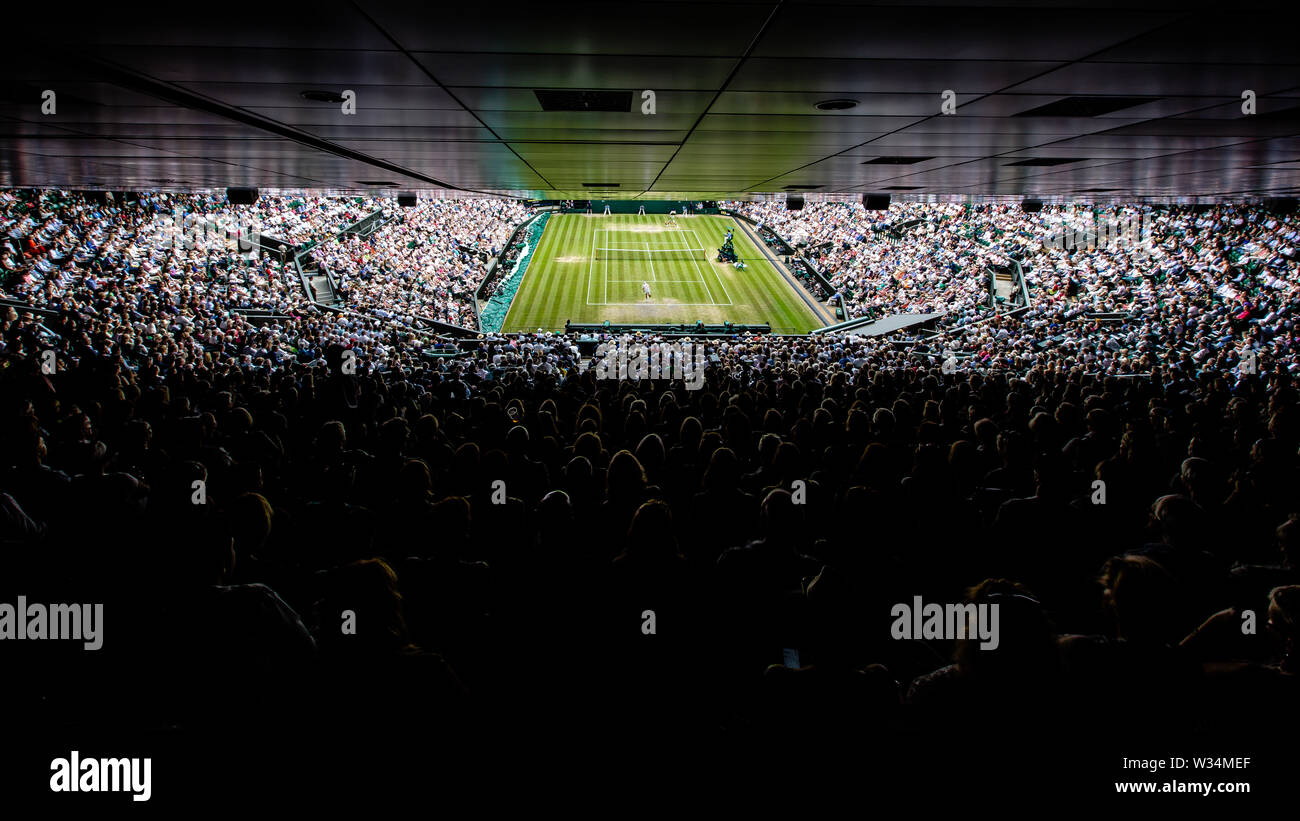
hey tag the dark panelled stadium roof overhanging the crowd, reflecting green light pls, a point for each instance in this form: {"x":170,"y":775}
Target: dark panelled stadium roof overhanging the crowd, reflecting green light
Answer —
{"x":1059,"y":101}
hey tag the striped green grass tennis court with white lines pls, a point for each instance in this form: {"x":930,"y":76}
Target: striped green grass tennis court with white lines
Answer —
{"x":591,"y":270}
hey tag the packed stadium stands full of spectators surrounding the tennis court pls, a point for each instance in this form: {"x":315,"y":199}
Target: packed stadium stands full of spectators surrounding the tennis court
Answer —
{"x":496,"y":516}
